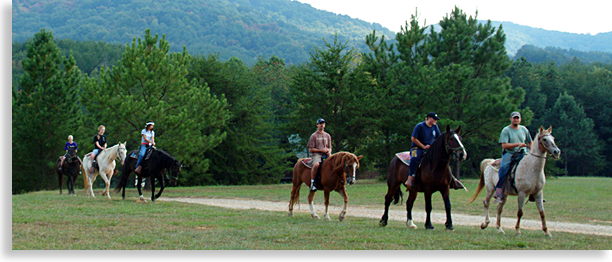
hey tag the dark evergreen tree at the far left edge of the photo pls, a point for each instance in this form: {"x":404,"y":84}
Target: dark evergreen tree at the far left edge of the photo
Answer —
{"x":44,"y":113}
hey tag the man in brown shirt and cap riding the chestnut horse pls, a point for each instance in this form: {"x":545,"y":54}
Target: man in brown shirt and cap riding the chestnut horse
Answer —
{"x":319,"y":145}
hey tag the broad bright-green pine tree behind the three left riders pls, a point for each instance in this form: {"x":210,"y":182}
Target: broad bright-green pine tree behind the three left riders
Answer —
{"x":149,"y":83}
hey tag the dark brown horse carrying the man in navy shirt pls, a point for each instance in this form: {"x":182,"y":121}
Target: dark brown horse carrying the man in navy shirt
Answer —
{"x":432,"y":175}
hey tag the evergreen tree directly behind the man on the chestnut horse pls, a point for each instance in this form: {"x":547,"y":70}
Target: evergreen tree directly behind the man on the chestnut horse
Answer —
{"x":336,"y":87}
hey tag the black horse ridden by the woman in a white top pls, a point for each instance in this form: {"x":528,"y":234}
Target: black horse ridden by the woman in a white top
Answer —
{"x":153,"y":167}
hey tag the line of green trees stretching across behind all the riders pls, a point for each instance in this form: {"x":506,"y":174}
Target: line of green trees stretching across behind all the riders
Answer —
{"x":231,"y":123}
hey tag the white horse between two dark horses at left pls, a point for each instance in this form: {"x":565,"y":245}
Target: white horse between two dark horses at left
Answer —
{"x":106,"y":164}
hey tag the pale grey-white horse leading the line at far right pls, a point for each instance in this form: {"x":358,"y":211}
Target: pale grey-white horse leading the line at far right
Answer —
{"x":529,"y":180}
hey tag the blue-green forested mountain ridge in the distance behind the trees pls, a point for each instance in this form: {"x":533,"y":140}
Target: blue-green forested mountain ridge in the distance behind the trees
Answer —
{"x":242,"y":28}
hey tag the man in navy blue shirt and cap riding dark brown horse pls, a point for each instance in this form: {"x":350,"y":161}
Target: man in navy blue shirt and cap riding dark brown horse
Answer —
{"x":423,"y":135}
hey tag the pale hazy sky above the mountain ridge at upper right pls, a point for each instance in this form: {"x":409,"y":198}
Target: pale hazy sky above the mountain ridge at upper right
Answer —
{"x":578,"y":16}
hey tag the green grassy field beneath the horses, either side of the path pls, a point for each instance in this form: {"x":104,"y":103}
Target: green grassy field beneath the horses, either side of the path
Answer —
{"x":46,"y":220}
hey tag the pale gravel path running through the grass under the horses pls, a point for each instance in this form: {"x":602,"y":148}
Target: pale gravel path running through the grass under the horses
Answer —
{"x":399,"y":215}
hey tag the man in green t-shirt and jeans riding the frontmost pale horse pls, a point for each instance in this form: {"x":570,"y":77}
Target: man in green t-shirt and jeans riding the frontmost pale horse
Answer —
{"x":515,"y":139}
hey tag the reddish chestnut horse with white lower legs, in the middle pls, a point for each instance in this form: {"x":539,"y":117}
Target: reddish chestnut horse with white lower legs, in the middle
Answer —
{"x":337,"y":170}
